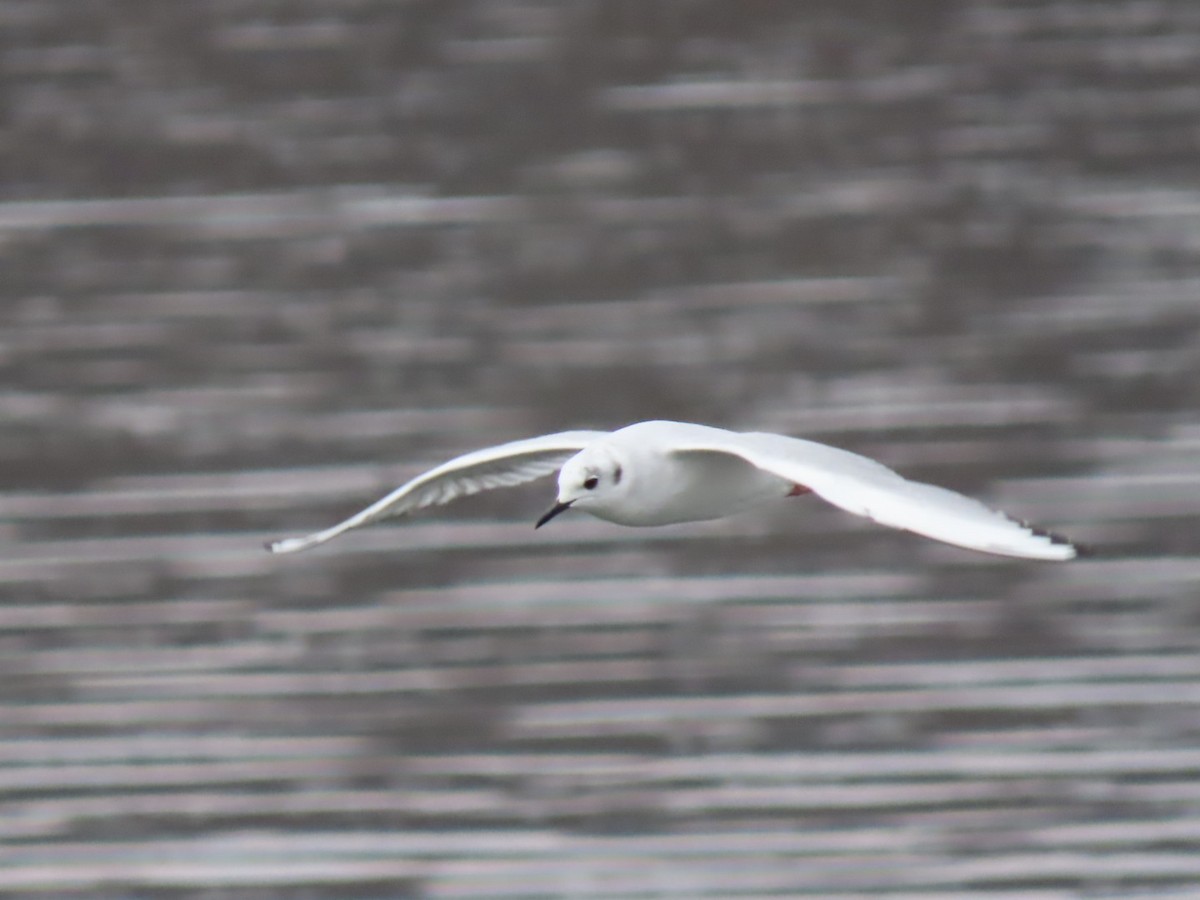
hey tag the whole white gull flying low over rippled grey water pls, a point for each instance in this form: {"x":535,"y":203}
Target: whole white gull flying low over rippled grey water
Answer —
{"x":662,"y":473}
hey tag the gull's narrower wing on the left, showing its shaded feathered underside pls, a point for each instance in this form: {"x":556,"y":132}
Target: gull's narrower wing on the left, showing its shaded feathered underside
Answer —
{"x":502,"y":466}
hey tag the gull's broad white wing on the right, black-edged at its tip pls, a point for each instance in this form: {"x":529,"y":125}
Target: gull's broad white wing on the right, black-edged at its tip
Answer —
{"x":866,"y":488}
